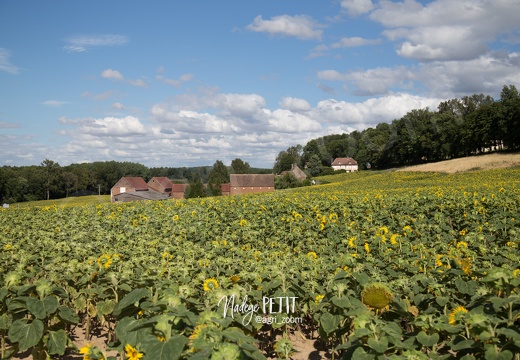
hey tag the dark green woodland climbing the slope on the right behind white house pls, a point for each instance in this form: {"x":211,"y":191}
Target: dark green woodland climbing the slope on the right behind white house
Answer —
{"x":460,"y":127}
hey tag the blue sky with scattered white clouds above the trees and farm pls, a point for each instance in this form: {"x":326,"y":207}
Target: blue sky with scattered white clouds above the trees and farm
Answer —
{"x":186,"y":83}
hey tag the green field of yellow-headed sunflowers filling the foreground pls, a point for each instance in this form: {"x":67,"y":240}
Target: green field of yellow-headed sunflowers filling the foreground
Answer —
{"x":371,"y":265}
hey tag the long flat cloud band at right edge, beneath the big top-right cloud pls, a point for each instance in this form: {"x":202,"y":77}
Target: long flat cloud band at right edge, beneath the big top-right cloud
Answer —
{"x":448,"y":79}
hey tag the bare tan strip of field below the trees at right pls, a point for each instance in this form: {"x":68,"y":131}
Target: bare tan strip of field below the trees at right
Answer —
{"x":472,"y":163}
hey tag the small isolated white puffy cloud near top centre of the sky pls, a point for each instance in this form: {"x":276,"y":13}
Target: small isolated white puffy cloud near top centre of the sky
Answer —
{"x":300,"y":26}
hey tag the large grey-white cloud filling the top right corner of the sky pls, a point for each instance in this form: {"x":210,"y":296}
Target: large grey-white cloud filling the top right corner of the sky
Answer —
{"x":445,"y":29}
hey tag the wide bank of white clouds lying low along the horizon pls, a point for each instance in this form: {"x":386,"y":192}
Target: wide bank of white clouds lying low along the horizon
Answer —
{"x":224,"y":126}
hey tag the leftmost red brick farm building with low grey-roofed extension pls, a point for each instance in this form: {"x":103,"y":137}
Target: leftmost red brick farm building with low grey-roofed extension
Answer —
{"x":133,"y":188}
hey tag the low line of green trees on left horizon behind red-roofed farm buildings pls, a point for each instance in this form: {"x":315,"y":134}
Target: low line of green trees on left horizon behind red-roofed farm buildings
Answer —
{"x":50,"y":180}
